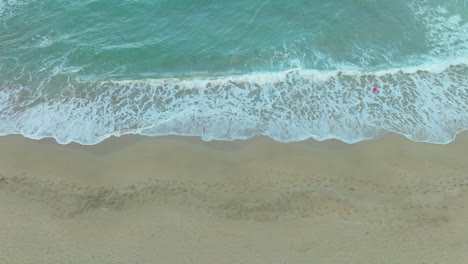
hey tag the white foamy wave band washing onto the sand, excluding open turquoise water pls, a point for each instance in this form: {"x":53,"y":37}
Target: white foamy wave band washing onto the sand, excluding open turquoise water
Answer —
{"x":426,"y":103}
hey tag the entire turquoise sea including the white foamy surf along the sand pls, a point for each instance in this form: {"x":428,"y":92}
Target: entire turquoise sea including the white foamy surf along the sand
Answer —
{"x":85,"y":70}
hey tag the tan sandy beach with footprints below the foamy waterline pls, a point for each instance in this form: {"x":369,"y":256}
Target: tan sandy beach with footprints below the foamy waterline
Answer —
{"x":181,"y":200}
